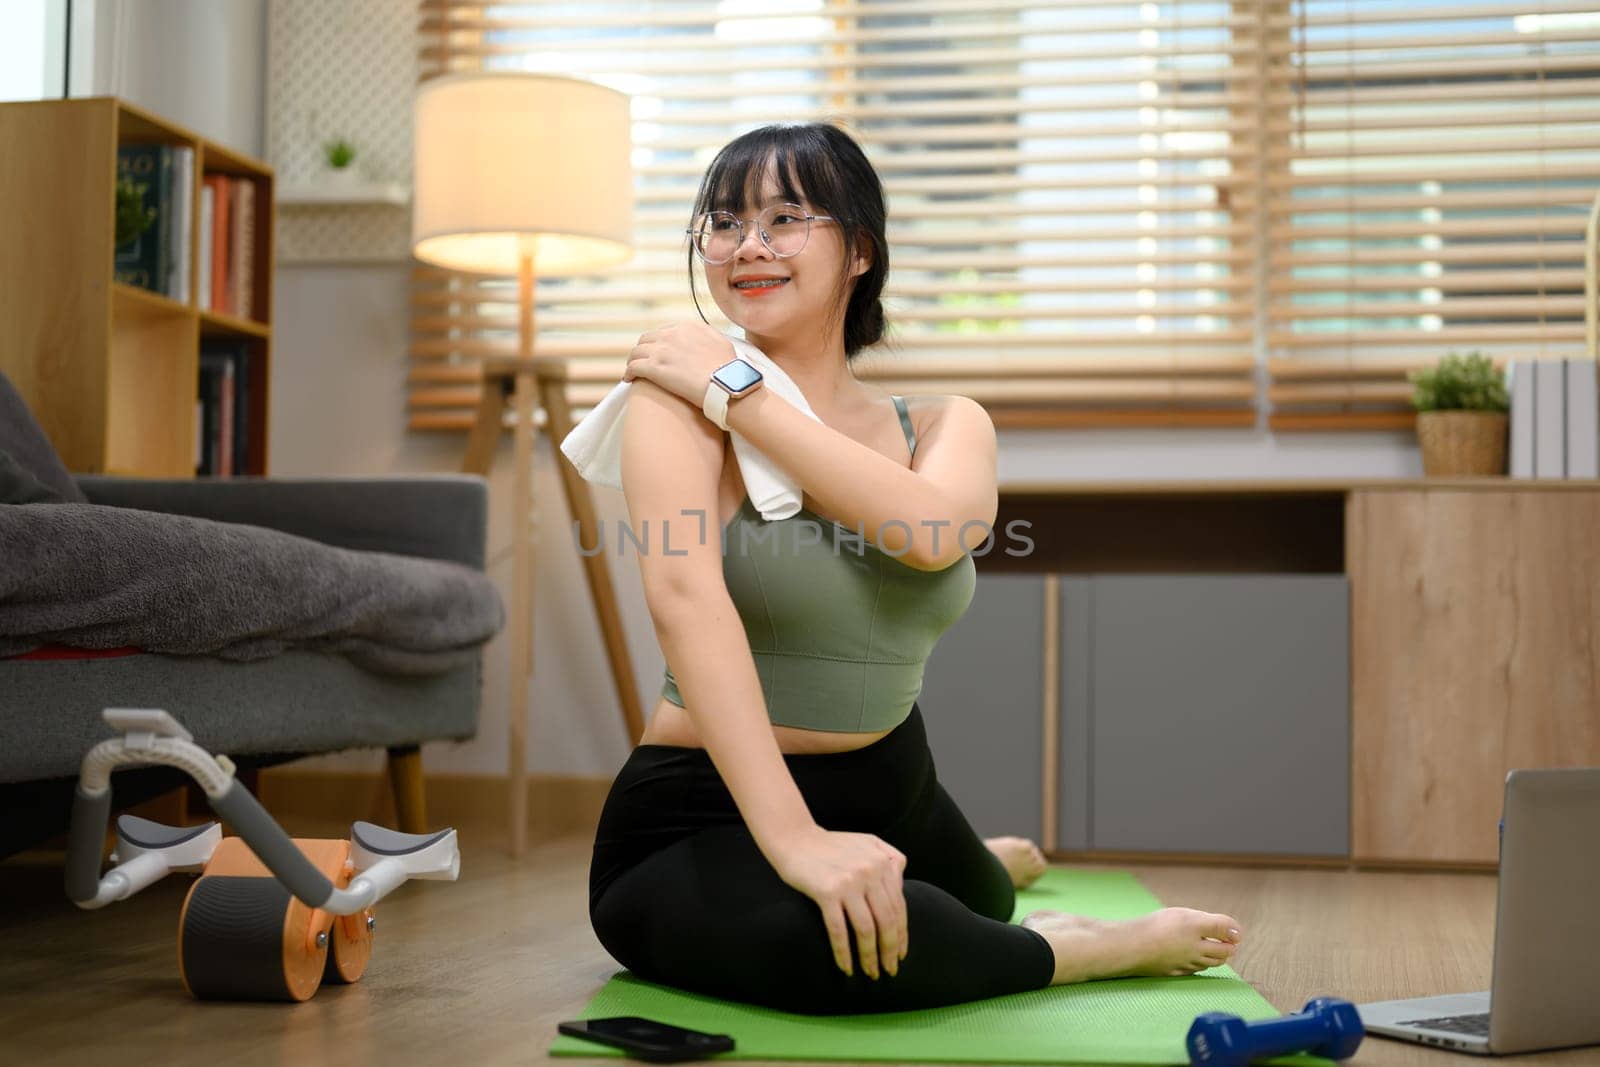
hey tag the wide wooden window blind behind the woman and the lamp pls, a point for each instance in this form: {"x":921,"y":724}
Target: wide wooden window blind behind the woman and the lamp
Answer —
{"x":1065,"y":183}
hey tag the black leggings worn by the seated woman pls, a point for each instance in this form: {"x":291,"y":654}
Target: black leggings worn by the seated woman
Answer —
{"x":681,"y":895}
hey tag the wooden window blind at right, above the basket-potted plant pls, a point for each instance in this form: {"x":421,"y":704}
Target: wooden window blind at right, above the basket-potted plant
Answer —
{"x":1428,"y":182}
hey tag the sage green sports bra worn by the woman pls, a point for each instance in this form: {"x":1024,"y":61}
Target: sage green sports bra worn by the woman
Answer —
{"x":839,"y":628}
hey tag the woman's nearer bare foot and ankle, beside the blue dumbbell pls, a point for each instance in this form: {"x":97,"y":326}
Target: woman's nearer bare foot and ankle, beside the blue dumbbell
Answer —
{"x":1167,"y":943}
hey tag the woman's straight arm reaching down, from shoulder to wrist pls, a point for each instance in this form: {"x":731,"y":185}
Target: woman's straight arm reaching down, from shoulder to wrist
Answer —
{"x":671,"y":466}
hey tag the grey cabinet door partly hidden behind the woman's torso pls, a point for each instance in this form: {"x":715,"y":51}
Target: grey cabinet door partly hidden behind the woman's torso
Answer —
{"x":982,"y":698}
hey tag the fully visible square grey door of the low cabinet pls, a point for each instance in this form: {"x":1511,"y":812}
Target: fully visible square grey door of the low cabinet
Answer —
{"x":1220,"y":714}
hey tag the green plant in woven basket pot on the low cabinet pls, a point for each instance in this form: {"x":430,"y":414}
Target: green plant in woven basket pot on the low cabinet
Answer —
{"x":1462,"y":417}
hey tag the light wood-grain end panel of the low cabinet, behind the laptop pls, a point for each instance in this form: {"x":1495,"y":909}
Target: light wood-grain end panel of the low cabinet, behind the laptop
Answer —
{"x":1478,"y":650}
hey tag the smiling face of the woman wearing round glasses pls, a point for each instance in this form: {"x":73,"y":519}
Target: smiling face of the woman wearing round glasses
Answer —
{"x":780,"y":297}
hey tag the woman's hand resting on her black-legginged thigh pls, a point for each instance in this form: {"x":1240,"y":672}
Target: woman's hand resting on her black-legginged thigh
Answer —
{"x":852,"y":877}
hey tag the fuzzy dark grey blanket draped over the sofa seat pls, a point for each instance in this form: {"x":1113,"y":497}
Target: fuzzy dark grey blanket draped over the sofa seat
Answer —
{"x":94,"y":577}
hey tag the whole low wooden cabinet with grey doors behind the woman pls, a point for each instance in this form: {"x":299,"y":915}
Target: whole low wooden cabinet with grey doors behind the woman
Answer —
{"x":1274,"y":669}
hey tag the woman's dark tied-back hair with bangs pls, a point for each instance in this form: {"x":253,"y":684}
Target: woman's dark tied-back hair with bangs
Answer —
{"x":825,"y":167}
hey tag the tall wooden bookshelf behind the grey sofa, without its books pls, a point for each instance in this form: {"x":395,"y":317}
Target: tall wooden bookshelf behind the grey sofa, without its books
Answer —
{"x":111,"y":370}
